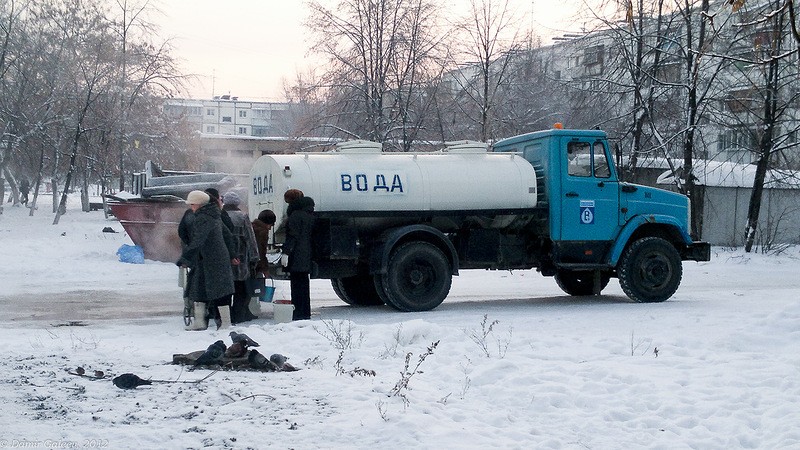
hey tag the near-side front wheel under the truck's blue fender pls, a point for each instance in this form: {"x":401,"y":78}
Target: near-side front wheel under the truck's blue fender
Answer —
{"x":650,"y":270}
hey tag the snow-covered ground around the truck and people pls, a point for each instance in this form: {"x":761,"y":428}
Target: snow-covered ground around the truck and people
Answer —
{"x":516,"y":363}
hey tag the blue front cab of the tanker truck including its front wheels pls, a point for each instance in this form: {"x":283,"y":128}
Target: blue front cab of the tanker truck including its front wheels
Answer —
{"x":598,"y":227}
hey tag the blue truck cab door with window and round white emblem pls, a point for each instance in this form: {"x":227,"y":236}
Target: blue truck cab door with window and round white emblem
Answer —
{"x":590,"y":196}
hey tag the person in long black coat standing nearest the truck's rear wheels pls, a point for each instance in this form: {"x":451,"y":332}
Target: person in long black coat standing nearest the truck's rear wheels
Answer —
{"x":297,"y":252}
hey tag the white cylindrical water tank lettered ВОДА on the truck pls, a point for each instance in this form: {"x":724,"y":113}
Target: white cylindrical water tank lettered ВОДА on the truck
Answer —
{"x":359,"y":177}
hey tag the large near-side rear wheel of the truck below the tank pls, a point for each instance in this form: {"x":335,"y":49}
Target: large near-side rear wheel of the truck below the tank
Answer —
{"x":418,"y":277}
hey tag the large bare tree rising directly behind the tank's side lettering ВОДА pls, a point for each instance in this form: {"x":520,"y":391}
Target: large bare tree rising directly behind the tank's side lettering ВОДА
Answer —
{"x":377,"y":51}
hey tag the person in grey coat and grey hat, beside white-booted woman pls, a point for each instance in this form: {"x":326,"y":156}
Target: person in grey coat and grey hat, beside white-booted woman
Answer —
{"x":246,"y":253}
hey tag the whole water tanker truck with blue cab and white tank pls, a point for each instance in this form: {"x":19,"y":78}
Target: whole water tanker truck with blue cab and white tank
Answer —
{"x":395,"y":228}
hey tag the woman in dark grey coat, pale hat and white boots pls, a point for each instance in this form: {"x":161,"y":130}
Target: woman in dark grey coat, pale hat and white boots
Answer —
{"x":209,"y":258}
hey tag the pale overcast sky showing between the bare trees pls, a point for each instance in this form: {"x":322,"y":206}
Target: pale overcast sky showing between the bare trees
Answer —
{"x":247,"y":48}
